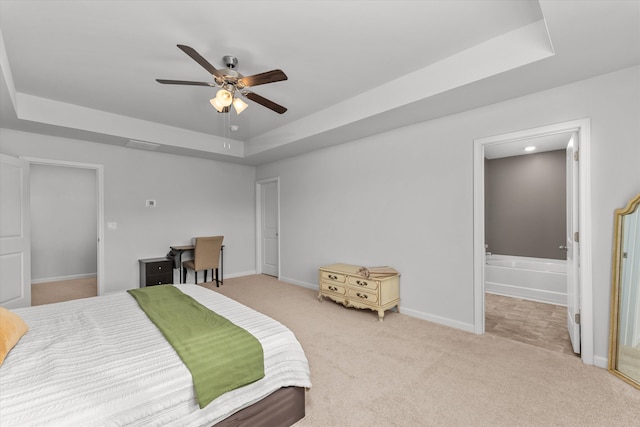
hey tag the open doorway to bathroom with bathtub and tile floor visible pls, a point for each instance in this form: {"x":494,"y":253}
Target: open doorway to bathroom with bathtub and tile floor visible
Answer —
{"x":525,"y":231}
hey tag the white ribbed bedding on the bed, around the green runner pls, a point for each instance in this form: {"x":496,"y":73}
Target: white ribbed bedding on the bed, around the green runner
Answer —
{"x":101,"y":362}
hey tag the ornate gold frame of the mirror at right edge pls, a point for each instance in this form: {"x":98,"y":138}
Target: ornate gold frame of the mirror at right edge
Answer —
{"x":615,"y":292}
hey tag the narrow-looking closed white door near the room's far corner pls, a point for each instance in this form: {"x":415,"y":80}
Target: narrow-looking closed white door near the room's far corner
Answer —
{"x":269,"y":221}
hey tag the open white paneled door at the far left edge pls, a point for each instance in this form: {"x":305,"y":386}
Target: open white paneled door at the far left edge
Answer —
{"x":15,"y":244}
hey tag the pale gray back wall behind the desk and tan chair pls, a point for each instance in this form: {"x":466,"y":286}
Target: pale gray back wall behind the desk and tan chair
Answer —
{"x":194,"y":197}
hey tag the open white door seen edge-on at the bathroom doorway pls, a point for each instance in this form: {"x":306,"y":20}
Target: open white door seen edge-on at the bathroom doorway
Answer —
{"x":572,"y":245}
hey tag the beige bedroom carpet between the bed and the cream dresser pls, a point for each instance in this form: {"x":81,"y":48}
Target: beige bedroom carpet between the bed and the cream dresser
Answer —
{"x":409,"y":372}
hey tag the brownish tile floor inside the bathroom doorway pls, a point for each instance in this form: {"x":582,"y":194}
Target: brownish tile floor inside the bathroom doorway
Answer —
{"x":539,"y":324}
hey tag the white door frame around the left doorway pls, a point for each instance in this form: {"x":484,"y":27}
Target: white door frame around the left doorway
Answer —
{"x":99,"y":171}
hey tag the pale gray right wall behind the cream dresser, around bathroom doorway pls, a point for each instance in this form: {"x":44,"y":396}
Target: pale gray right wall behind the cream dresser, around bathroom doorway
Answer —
{"x":405,"y":197}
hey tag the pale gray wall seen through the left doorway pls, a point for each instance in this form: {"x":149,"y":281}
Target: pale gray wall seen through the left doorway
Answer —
{"x":64,"y":227}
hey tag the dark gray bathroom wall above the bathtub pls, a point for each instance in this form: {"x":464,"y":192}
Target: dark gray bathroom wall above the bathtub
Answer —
{"x":525,"y":205}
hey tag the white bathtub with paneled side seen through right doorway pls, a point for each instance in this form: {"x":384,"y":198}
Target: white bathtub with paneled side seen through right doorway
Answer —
{"x":537,"y":279}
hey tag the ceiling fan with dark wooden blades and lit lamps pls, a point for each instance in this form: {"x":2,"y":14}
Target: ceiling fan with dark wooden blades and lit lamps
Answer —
{"x":232,"y":84}
